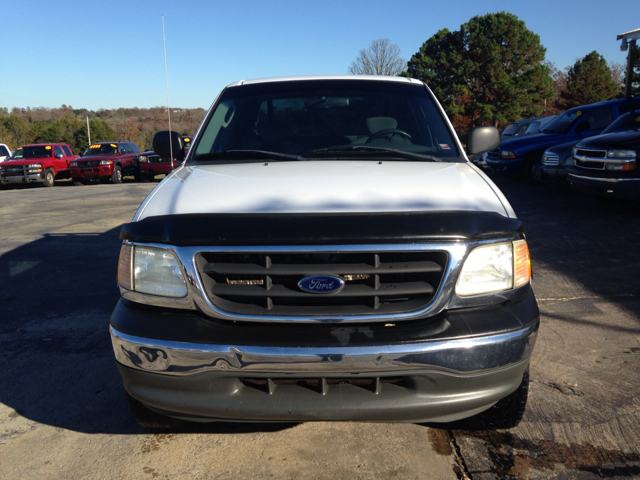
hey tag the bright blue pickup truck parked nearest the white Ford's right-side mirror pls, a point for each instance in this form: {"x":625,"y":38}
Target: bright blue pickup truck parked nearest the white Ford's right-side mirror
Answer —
{"x":520,"y":154}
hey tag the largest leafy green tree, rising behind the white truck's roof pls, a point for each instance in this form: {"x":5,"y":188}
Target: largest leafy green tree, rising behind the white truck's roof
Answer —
{"x":489,"y":71}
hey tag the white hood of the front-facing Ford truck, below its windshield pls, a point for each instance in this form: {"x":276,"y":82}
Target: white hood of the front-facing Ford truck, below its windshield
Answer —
{"x":324,"y":187}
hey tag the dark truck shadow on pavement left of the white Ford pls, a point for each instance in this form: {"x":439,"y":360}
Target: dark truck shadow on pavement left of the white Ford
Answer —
{"x":57,"y":362}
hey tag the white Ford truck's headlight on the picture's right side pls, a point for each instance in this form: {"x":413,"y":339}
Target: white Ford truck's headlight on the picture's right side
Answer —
{"x":491,"y":268}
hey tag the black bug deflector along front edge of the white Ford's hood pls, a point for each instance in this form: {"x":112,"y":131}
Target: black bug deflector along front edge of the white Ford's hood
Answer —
{"x":318,"y":229}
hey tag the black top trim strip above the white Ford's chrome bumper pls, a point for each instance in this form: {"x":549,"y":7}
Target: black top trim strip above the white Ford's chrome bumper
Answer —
{"x":181,"y":326}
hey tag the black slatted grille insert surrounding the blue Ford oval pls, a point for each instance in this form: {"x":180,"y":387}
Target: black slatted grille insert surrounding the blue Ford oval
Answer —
{"x":375,"y":282}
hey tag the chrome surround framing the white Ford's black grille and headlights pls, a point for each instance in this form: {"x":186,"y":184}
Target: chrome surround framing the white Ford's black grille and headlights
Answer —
{"x":444,"y":297}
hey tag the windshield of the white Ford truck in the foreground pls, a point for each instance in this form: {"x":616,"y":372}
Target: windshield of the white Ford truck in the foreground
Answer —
{"x":326,"y":119}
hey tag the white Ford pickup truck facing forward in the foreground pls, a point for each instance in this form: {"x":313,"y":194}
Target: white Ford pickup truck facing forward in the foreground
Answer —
{"x":326,"y":251}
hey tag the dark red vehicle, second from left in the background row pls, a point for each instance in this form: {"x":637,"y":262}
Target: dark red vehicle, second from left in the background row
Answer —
{"x":106,"y":161}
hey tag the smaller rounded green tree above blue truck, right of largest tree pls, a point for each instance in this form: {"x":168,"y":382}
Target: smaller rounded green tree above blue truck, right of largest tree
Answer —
{"x":589,"y":81}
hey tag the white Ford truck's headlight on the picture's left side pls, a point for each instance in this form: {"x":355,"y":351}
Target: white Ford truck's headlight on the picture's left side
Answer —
{"x":155,"y":271}
